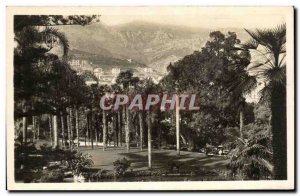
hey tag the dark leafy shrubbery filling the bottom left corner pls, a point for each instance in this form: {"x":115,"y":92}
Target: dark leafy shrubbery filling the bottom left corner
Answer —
{"x":29,"y":159}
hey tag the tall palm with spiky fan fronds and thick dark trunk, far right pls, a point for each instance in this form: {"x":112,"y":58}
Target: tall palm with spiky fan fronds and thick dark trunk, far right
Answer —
{"x":269,"y":45}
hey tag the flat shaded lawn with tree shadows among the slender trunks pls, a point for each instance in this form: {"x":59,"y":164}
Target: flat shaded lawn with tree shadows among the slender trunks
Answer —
{"x":160,"y":158}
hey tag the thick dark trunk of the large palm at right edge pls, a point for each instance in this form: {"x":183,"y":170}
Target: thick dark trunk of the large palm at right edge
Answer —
{"x":278,"y":121}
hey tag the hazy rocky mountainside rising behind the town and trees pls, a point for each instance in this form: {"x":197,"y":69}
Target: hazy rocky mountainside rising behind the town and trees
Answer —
{"x":154,"y":45}
